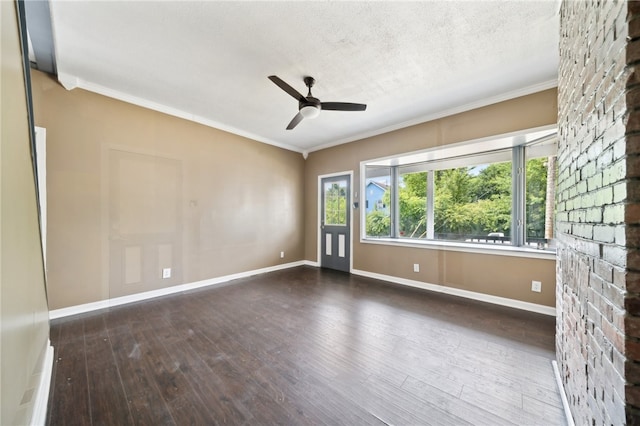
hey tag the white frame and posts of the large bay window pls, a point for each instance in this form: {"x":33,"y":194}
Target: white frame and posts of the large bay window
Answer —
{"x":448,"y":156}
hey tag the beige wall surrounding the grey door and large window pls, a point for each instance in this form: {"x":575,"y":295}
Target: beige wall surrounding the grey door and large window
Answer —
{"x":502,"y":276}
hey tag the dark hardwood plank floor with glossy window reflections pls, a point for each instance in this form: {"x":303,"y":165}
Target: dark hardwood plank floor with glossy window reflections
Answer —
{"x":305,"y":346}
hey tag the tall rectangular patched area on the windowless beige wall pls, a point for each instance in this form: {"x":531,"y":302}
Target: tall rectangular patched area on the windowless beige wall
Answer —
{"x":144,"y":195}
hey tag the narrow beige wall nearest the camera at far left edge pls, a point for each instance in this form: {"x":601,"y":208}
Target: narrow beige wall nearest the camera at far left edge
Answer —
{"x":24,"y":326}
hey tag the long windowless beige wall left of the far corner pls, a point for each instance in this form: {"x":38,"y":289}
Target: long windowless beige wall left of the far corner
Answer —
{"x":132,"y":191}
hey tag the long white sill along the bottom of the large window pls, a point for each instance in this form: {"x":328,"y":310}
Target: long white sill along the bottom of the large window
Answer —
{"x":496,"y":250}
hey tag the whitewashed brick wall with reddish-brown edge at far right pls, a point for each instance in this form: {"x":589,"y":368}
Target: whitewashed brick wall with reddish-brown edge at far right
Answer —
{"x":598,"y":210}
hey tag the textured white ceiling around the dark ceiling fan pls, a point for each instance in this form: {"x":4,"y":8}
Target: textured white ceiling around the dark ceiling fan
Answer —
{"x":209,"y":61}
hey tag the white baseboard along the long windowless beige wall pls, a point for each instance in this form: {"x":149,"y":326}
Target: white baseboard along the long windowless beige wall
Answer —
{"x":116,"y":301}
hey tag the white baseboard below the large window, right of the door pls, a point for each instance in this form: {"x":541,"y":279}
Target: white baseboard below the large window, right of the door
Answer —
{"x":503,"y":301}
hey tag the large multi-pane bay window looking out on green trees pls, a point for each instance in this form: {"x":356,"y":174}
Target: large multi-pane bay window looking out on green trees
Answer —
{"x":459,"y":194}
